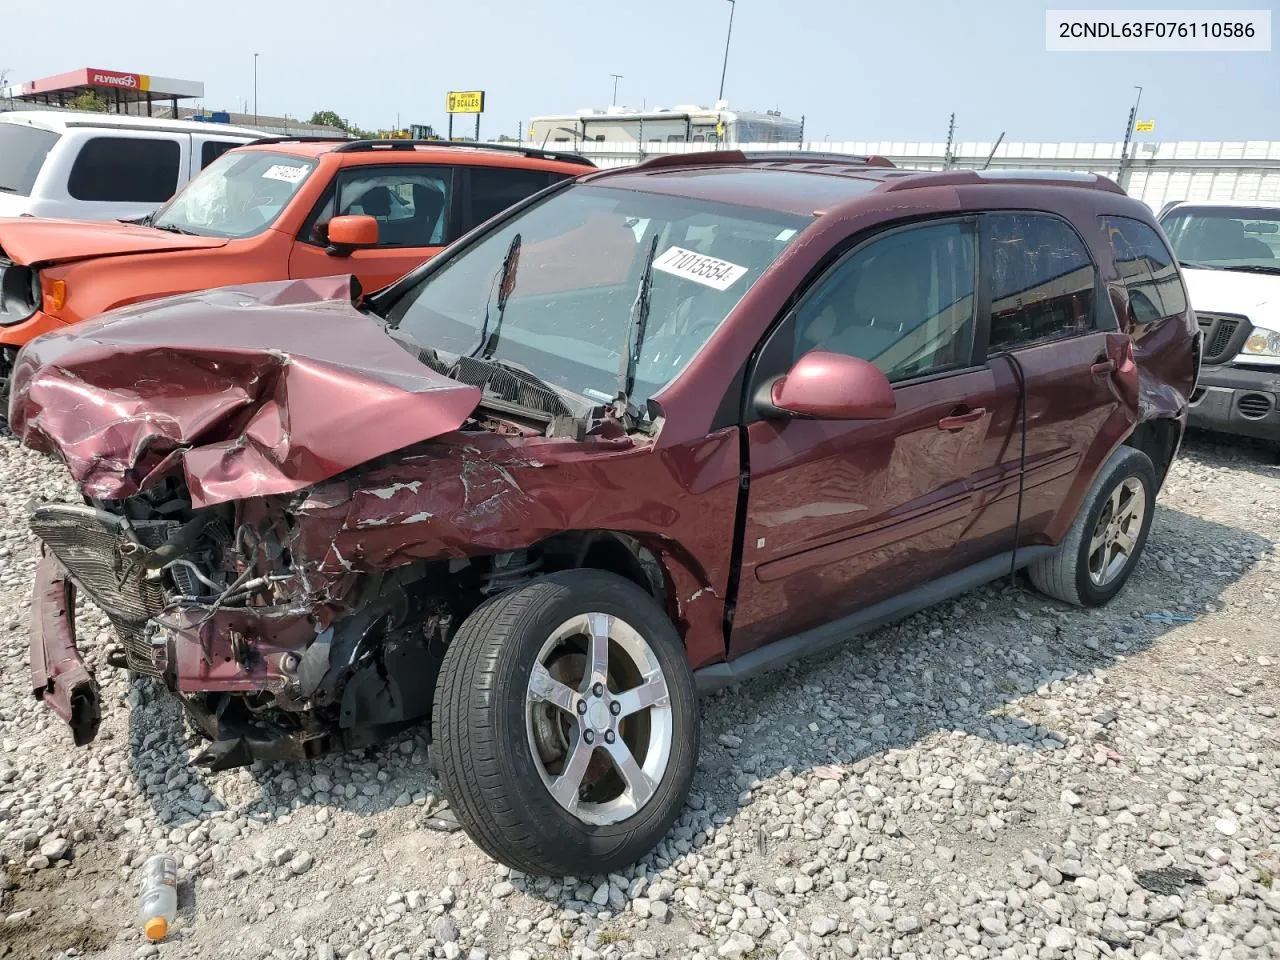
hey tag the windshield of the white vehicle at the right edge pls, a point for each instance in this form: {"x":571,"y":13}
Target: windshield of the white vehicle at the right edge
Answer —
{"x":1226,"y":237}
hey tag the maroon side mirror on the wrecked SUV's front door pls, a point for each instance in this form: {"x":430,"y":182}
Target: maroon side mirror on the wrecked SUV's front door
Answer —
{"x":830,"y":387}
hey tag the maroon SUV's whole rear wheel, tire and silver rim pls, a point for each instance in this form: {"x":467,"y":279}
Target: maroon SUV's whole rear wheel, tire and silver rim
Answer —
{"x":1104,"y":545}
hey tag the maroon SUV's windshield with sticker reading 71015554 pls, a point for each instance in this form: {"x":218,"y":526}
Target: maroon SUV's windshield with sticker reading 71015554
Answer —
{"x":560,"y":300}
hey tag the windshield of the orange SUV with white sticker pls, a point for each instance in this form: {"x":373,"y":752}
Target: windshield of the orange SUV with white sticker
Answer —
{"x":239,"y":195}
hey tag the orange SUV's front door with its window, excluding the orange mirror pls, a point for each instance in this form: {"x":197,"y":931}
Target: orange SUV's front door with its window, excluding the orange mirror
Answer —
{"x":414,"y":205}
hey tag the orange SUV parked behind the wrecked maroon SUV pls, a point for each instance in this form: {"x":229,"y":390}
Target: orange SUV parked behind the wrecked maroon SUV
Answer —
{"x":272,"y":211}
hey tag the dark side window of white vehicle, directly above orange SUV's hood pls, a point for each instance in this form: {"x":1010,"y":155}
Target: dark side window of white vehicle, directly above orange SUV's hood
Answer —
{"x":126,"y":171}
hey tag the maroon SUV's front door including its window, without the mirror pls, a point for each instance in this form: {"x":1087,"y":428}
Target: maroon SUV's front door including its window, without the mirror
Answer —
{"x":844,"y":514}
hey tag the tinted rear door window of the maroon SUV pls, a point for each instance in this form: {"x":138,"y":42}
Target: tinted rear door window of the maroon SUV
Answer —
{"x":1043,"y":281}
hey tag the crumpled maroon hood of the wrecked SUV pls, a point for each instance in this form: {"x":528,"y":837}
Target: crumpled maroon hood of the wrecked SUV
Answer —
{"x":255,"y":390}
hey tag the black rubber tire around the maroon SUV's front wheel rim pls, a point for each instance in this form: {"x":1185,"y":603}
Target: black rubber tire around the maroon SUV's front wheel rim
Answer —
{"x":482,"y":743}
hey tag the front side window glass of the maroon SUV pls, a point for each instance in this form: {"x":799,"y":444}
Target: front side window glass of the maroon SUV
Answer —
{"x":904,"y":303}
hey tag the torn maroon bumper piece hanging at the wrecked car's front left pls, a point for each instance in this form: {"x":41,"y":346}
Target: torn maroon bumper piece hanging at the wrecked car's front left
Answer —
{"x":58,"y":675}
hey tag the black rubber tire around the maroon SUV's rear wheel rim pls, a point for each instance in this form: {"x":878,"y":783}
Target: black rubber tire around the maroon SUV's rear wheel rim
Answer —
{"x":1066,"y":575}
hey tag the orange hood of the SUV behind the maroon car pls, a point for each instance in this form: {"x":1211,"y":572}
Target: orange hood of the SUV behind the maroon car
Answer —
{"x":33,"y":241}
